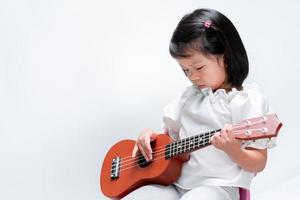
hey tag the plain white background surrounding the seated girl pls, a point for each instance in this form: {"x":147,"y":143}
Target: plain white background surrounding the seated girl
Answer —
{"x":77,"y":76}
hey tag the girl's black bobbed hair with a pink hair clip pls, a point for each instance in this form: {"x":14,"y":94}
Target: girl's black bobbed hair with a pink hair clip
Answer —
{"x":210,"y":32}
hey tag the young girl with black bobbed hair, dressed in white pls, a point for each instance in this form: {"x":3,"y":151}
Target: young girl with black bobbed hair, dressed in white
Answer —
{"x":210,"y":52}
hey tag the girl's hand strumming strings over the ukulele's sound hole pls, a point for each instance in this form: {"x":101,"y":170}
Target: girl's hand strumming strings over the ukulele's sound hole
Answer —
{"x":142,"y":144}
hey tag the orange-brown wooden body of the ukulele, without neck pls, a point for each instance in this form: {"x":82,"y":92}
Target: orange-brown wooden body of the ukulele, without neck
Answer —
{"x":163,"y":171}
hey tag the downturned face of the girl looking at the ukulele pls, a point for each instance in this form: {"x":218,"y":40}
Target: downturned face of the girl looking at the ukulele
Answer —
{"x":205,"y":71}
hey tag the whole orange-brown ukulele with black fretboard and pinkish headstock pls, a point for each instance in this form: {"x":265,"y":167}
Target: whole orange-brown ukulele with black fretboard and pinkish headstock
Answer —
{"x":121,"y":173}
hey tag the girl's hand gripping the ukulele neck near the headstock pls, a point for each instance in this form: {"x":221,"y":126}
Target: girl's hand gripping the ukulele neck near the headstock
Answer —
{"x":226,"y":141}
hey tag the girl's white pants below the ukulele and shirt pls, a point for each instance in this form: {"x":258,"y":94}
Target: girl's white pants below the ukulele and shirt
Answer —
{"x":150,"y":192}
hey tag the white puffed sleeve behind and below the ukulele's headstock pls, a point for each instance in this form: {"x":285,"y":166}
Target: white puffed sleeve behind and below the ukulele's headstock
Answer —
{"x":248,"y":104}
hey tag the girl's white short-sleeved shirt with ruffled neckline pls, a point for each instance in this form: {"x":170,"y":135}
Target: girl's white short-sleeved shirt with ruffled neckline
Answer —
{"x":198,"y":111}
